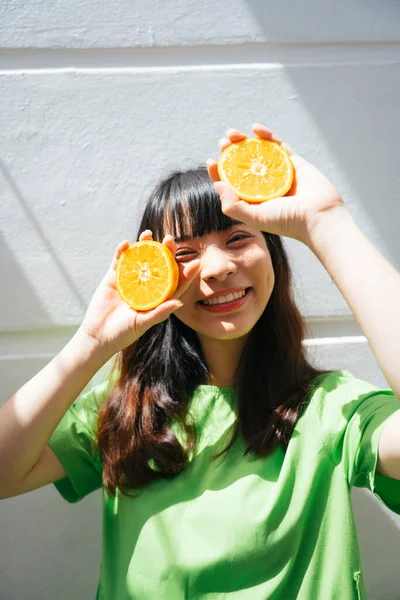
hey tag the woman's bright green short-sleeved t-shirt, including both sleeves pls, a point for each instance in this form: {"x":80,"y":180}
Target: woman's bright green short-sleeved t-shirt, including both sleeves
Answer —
{"x":280,"y":527}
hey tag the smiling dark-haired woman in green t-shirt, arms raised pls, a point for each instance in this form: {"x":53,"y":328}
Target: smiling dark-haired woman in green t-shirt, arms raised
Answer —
{"x":226,"y":459}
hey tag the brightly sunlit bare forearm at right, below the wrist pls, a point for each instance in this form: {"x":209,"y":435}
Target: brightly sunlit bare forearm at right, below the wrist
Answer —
{"x":368,"y":282}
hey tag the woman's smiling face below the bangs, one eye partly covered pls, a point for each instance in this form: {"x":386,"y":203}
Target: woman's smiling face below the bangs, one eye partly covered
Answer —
{"x":235,"y":271}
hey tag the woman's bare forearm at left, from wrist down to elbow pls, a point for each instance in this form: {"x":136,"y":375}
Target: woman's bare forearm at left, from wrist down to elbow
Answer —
{"x":30,"y":416}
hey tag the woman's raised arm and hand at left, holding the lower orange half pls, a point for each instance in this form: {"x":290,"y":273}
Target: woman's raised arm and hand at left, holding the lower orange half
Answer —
{"x":29,"y":418}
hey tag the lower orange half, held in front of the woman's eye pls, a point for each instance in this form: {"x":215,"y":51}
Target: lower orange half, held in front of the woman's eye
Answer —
{"x":146,"y":275}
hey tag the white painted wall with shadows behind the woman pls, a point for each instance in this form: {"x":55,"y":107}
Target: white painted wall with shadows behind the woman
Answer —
{"x":100,"y":99}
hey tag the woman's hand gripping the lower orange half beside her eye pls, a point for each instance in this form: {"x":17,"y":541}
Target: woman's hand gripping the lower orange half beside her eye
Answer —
{"x":114,"y":325}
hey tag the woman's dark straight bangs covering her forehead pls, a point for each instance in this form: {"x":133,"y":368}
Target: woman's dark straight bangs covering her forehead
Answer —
{"x":185,"y":204}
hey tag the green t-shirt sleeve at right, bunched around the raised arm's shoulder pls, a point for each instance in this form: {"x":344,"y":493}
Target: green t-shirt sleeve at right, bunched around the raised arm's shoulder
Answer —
{"x":353,"y":414}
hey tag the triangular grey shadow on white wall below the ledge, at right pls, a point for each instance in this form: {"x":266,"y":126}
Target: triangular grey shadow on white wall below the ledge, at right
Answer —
{"x":342,"y":106}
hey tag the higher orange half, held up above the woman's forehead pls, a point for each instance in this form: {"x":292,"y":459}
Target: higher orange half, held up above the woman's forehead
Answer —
{"x":258,"y":170}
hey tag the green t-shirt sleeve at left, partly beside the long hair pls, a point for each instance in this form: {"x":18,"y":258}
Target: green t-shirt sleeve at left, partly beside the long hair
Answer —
{"x":73,"y":442}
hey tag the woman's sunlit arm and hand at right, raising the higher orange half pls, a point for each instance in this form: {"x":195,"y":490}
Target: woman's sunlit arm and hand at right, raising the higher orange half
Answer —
{"x":314,"y":213}
